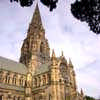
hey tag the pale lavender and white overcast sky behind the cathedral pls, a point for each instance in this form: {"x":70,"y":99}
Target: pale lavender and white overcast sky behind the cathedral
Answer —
{"x":63,"y":31}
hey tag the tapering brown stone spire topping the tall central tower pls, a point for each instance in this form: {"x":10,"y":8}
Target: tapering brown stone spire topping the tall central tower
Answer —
{"x":36,"y":23}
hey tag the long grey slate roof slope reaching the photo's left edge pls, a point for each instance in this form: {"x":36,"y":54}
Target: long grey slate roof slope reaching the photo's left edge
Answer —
{"x":10,"y":65}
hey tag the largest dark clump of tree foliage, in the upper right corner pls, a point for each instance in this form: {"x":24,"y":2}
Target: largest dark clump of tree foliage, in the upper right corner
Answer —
{"x":88,"y":11}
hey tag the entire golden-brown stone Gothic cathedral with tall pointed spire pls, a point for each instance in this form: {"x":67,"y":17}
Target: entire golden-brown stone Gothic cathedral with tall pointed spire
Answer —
{"x":37,"y":75}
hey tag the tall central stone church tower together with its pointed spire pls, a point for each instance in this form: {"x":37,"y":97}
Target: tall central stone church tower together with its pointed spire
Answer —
{"x":35,"y":49}
